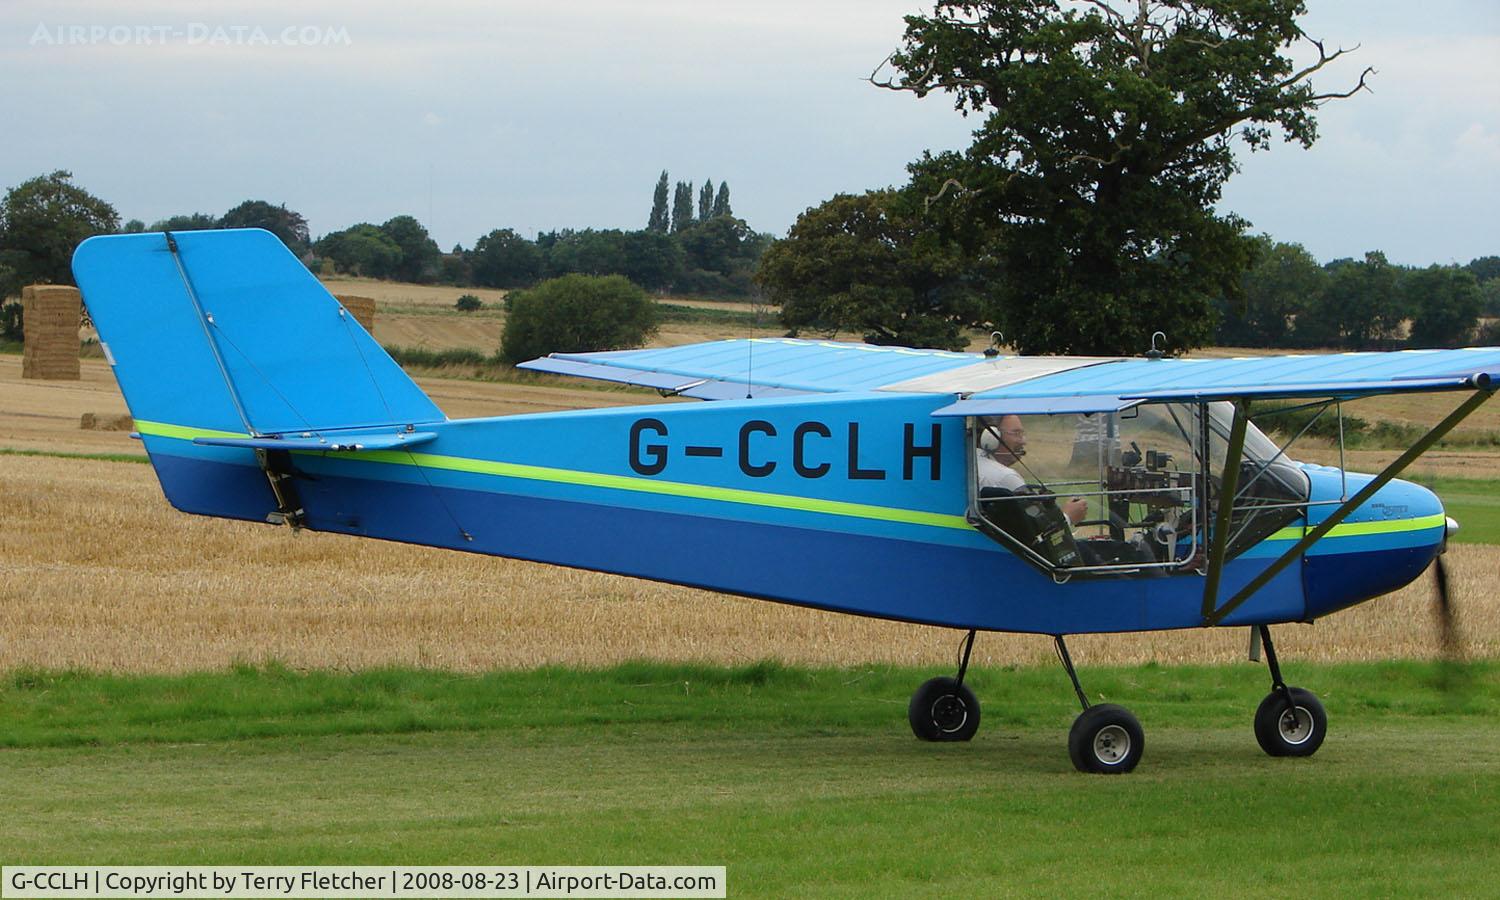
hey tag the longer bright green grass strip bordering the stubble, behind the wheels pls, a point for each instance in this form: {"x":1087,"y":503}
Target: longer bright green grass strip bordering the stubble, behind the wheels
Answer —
{"x":44,"y":709}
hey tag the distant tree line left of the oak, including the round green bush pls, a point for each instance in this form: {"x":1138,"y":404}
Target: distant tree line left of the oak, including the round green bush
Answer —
{"x":581,"y":290}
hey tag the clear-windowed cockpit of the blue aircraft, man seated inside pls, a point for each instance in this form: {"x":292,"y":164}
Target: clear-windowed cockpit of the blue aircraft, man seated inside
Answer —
{"x":1126,"y":493}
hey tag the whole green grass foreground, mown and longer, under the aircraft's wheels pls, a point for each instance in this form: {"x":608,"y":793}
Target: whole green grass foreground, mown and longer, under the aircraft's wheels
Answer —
{"x":800,"y":781}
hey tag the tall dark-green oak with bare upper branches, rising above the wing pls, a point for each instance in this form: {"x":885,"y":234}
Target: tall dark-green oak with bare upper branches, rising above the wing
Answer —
{"x":1108,"y":136}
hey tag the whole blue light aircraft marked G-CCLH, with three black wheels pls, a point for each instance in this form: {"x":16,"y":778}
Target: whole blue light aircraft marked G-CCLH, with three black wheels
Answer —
{"x":980,"y":493}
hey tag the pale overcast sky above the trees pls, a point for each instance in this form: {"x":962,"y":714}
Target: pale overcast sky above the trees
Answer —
{"x":530,"y":116}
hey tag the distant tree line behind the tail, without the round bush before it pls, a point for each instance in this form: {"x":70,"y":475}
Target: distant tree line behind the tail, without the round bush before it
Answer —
{"x":701,"y":253}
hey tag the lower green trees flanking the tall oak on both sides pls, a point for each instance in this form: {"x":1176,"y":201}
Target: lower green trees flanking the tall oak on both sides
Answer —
{"x":871,"y":266}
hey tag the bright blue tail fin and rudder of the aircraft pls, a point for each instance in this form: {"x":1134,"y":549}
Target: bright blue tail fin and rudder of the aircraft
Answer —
{"x":226,"y":335}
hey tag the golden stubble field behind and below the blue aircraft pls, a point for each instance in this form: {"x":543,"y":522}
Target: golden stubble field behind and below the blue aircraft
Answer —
{"x":98,"y":572}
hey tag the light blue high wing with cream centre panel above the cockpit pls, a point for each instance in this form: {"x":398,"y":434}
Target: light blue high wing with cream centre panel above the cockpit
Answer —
{"x":982,"y":385}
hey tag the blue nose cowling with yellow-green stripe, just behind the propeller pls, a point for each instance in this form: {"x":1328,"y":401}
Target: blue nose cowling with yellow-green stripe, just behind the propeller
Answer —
{"x":1382,"y":547}
